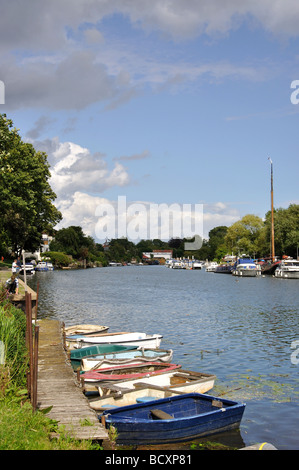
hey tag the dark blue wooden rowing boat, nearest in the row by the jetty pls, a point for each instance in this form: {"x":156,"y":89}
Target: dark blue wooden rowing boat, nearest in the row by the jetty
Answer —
{"x":175,"y":419}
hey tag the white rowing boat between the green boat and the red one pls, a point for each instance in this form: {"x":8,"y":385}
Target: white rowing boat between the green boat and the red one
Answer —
{"x":141,"y":355}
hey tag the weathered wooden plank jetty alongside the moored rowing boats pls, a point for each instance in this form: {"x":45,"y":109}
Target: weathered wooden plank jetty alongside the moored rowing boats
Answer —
{"x":57,"y":387}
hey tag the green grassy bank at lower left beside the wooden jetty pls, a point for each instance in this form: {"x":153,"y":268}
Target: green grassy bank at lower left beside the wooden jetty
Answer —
{"x":21,"y":428}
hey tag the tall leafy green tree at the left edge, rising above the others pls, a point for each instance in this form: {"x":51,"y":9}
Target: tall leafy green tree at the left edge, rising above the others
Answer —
{"x":25,"y":193}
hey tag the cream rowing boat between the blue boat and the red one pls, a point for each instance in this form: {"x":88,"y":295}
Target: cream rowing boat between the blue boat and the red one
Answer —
{"x":172,"y":383}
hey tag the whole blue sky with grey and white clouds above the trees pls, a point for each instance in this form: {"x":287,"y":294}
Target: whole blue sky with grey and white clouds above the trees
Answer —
{"x":175,"y":104}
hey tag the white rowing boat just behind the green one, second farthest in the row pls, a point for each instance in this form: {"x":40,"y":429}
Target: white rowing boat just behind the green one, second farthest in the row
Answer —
{"x":127,"y":339}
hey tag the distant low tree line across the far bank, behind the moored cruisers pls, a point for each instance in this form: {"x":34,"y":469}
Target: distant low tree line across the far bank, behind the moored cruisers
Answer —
{"x":250,"y":236}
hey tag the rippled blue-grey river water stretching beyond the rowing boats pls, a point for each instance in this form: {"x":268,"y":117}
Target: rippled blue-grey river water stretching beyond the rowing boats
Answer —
{"x":240,"y":329}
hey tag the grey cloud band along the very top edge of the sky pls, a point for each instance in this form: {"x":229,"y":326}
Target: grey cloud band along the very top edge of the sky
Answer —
{"x":34,"y":19}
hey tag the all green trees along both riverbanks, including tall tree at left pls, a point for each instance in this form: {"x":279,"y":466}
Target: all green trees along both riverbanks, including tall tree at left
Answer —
{"x":28,"y":210}
